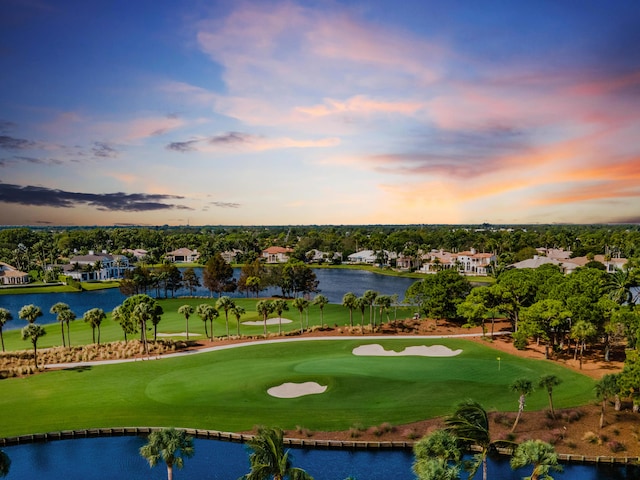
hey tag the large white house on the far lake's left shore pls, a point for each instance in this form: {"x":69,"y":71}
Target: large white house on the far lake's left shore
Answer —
{"x":96,"y":266}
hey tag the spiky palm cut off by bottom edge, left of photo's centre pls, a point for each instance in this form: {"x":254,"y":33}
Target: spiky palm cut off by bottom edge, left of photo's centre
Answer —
{"x":269,"y":459}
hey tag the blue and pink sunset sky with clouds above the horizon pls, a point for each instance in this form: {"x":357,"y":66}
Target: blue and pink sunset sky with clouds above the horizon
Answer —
{"x":193,"y":112}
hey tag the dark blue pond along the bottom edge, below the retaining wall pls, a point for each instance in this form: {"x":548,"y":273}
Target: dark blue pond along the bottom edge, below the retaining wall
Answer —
{"x":117,"y":457}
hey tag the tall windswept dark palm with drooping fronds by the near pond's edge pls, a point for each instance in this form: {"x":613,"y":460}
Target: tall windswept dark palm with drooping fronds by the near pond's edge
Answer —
{"x":470,"y":424}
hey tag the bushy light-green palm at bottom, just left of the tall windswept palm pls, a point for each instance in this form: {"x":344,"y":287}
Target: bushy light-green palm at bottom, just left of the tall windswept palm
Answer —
{"x":437,"y":456}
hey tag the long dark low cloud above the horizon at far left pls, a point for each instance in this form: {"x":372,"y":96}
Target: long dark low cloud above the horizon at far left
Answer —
{"x":42,"y":196}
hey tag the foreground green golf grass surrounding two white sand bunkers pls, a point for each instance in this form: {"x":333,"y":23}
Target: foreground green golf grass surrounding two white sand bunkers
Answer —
{"x":227,"y":390}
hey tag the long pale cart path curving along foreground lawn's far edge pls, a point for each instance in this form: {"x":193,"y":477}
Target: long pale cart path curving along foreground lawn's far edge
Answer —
{"x":262,"y":342}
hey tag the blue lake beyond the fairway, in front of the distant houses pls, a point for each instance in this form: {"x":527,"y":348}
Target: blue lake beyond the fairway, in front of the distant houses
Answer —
{"x":333,"y":284}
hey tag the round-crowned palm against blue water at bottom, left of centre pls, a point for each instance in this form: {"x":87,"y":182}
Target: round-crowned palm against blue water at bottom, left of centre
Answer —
{"x":169,"y":445}
